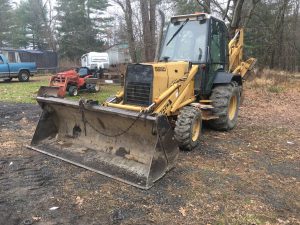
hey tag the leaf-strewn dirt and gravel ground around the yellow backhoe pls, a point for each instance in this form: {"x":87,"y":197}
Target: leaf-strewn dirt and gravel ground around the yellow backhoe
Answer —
{"x":250,"y":175}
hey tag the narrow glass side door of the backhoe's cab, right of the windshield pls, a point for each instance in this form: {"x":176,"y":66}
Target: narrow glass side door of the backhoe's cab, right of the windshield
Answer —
{"x":217,"y":53}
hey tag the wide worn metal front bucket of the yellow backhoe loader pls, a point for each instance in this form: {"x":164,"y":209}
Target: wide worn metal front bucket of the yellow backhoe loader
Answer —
{"x":120,"y":144}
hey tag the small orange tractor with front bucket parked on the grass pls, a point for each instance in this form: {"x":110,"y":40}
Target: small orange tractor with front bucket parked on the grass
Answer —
{"x":72,"y":81}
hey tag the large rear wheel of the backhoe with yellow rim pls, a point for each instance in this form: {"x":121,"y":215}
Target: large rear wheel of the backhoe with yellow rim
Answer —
{"x":226,"y":101}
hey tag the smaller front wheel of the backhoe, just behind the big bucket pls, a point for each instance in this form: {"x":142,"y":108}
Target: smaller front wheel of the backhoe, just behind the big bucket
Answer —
{"x":188,"y":128}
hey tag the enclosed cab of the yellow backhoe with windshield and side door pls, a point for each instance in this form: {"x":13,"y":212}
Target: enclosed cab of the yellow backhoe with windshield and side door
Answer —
{"x":199,"y":39}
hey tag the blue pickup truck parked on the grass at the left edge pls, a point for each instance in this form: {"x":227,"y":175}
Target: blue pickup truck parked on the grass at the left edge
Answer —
{"x":22,"y":71}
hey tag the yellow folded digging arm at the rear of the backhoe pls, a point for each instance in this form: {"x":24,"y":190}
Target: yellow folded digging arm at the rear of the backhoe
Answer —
{"x":236,"y":47}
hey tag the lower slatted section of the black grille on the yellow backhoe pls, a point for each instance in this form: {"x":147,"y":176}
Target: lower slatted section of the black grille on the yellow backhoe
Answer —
{"x":138,"y":93}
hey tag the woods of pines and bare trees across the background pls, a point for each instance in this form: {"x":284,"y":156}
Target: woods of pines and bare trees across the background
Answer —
{"x":74,"y":27}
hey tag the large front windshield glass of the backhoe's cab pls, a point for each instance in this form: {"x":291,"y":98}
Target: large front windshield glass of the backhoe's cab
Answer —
{"x":188,"y":45}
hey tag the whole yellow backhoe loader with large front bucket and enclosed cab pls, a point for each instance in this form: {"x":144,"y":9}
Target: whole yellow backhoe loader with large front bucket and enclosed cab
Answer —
{"x":135,"y":136}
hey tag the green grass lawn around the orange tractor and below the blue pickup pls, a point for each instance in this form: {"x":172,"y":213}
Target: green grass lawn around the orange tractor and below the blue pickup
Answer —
{"x":25,"y":92}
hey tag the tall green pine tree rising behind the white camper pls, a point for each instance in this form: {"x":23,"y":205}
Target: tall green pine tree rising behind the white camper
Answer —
{"x":79,"y":26}
